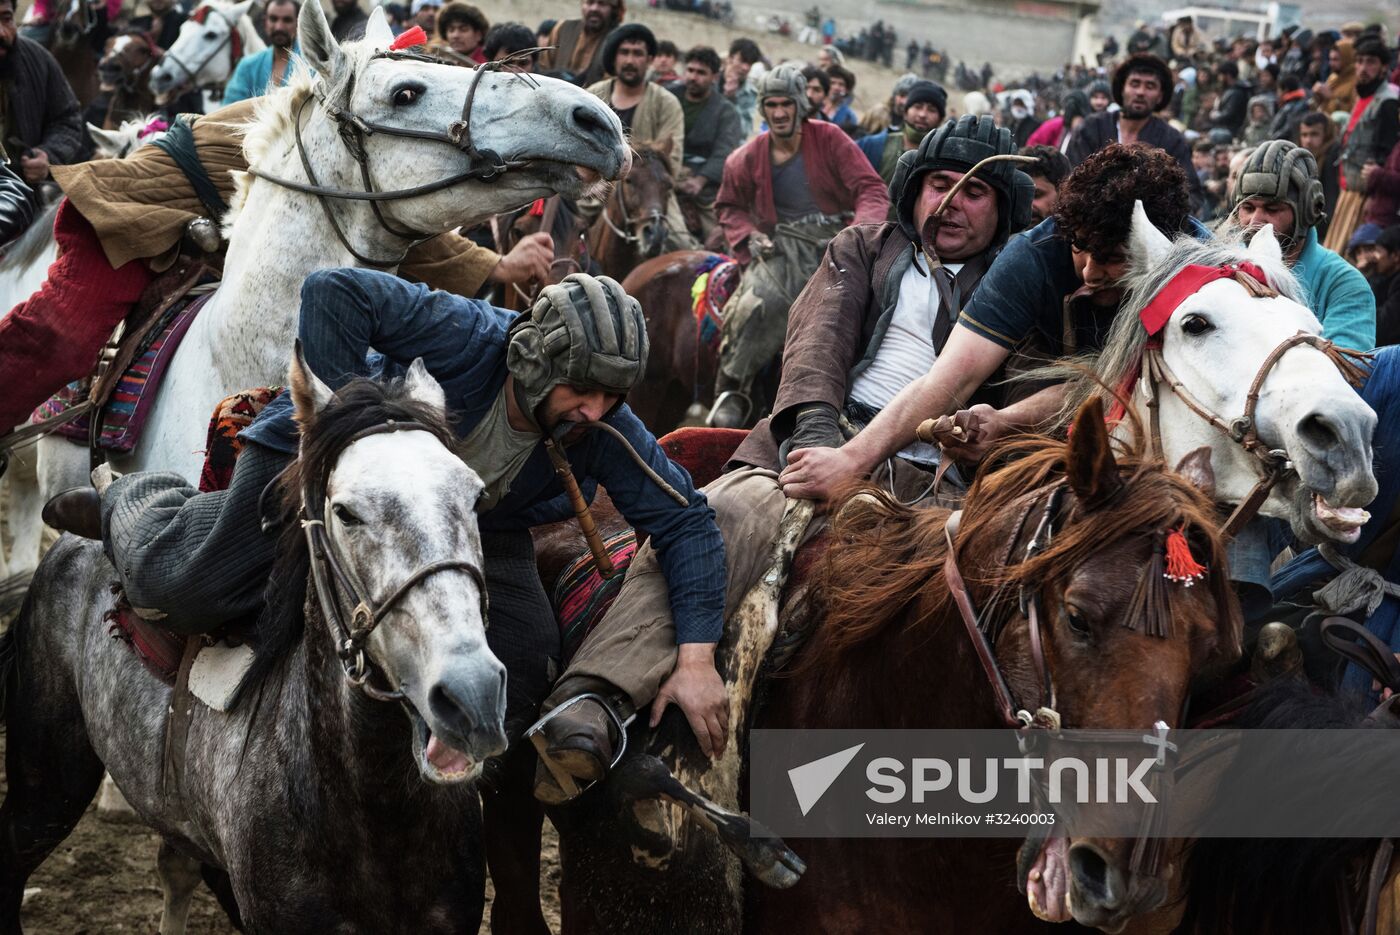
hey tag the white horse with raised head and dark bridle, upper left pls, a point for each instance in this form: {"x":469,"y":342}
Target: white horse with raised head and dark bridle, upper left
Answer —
{"x":437,"y":132}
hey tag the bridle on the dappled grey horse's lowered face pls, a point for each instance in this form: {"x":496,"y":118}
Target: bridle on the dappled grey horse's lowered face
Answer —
{"x":335,"y":577}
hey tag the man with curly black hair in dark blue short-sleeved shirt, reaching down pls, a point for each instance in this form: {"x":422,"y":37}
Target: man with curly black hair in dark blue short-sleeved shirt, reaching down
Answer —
{"x":1052,"y":293}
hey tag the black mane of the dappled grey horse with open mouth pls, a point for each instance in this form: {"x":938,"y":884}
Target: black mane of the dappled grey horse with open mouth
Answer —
{"x":359,"y":405}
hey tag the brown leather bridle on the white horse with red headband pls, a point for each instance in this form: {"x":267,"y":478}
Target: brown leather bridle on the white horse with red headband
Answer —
{"x":1242,"y":430}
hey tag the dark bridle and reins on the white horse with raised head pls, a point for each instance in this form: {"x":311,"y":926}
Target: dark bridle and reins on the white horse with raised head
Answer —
{"x":484,"y":166}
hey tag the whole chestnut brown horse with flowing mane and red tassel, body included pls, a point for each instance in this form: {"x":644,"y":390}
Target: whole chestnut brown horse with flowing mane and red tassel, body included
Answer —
{"x":892,"y":653}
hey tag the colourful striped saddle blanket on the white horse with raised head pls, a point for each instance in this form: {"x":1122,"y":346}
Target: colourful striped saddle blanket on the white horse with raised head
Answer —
{"x":124,"y":414}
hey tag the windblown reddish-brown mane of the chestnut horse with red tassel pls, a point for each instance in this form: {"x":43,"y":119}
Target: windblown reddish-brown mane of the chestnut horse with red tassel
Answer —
{"x":885,"y":556}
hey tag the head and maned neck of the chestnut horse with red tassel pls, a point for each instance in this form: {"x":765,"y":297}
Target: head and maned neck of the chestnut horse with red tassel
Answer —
{"x":1121,"y":640}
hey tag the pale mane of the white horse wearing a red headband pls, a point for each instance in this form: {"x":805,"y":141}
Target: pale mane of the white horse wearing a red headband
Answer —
{"x":1097,"y":376}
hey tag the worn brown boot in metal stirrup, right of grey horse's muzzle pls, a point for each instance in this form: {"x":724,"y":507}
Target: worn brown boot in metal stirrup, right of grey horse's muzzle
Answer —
{"x":576,"y":747}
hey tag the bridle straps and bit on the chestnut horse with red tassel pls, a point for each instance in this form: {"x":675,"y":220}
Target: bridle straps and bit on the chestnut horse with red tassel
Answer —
{"x":1045,"y":720}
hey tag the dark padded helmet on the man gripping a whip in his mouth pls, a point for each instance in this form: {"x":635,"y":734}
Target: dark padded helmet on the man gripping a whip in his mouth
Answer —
{"x":958,"y":146}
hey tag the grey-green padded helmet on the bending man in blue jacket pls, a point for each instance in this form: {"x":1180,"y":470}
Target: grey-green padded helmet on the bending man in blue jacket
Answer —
{"x":586,"y":332}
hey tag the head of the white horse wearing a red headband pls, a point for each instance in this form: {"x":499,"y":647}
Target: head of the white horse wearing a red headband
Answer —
{"x":1219,"y":349}
